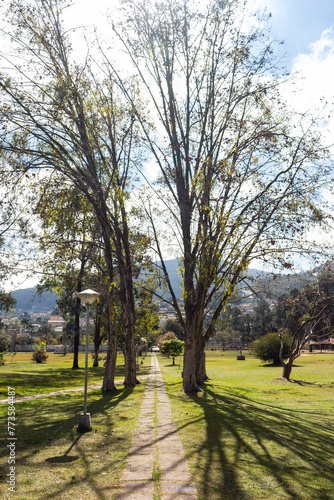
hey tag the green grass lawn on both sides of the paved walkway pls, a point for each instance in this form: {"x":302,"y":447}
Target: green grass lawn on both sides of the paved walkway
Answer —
{"x":245,"y":436}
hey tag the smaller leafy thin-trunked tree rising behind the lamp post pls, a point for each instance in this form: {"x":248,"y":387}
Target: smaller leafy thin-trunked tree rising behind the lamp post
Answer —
{"x":68,"y":245}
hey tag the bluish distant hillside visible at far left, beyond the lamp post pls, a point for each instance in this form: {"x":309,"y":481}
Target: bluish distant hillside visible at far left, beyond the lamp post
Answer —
{"x":27,"y":300}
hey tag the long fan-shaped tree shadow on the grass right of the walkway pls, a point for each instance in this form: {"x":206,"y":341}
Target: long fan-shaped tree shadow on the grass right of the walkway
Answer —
{"x":248,"y":442}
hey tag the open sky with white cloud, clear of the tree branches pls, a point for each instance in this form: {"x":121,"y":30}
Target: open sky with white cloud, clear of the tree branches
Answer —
{"x":305,"y":26}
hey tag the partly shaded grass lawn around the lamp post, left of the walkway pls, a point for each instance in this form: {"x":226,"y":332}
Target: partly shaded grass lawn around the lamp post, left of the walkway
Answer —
{"x":52,"y":460}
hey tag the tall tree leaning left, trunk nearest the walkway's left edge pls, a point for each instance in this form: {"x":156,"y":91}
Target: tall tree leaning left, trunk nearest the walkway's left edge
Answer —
{"x":59,"y":116}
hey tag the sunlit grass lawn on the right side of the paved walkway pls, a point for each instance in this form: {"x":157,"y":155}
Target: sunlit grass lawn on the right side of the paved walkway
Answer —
{"x":249,"y":437}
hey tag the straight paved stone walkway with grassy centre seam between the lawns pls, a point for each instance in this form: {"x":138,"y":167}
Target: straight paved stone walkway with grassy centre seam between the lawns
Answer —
{"x":156,"y":464}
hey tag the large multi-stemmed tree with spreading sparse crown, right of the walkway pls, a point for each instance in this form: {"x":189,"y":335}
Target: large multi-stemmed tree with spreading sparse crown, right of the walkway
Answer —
{"x":239,"y":170}
